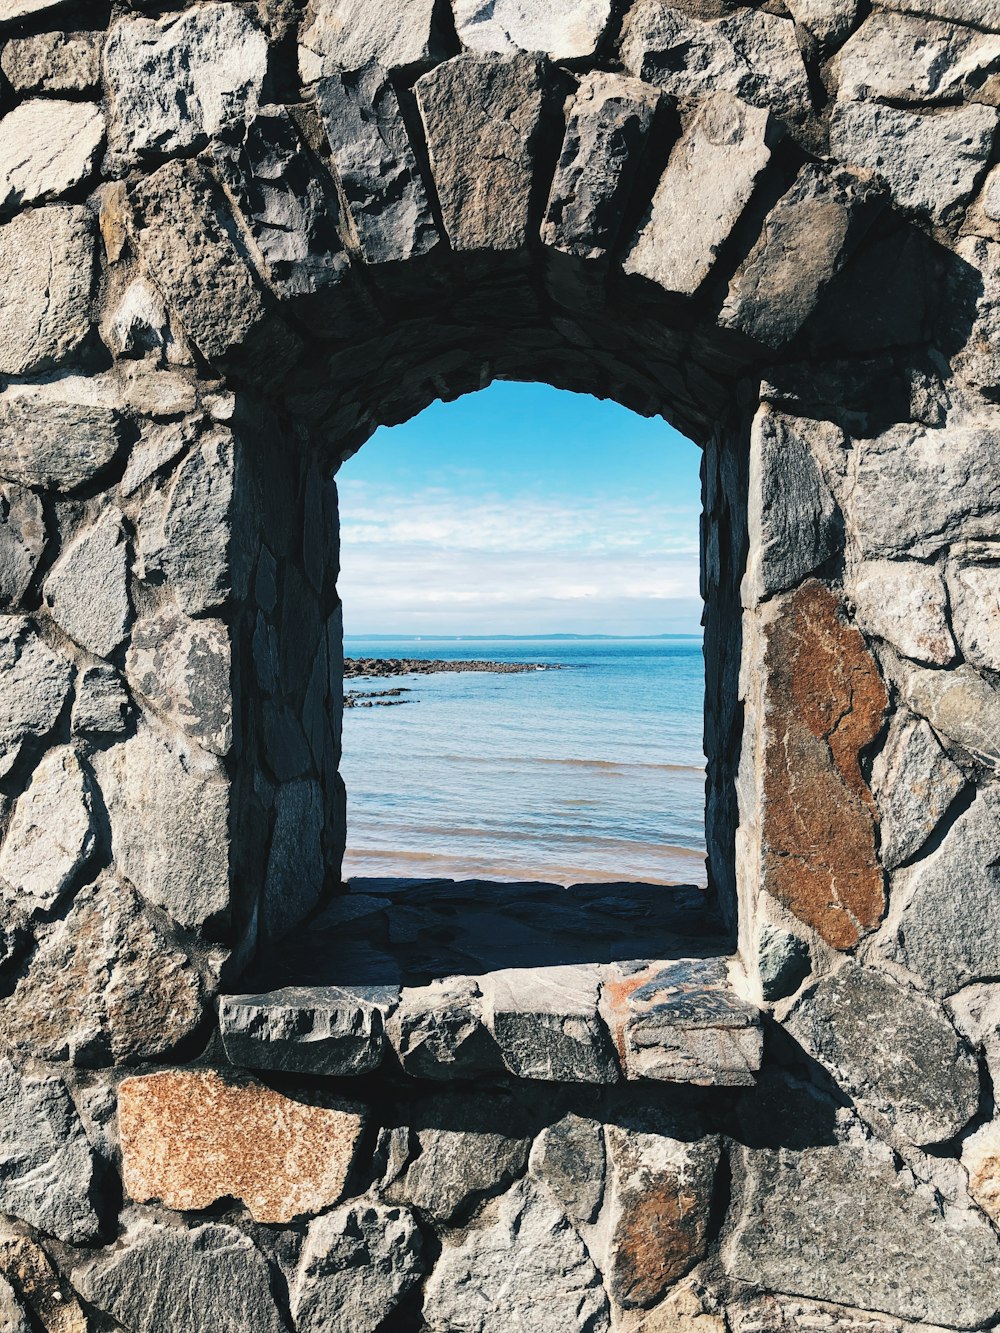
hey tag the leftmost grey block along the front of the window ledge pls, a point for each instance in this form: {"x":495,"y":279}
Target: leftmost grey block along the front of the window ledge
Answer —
{"x":309,"y":1030}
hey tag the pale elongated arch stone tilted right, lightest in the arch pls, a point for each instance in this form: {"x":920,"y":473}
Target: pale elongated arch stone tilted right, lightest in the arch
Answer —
{"x":709,"y":182}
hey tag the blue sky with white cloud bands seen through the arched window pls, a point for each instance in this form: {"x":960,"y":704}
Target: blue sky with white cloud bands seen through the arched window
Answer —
{"x":522,"y":510}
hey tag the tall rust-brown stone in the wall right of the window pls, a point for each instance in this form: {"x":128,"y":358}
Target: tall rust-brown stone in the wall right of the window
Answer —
{"x":826,"y":704}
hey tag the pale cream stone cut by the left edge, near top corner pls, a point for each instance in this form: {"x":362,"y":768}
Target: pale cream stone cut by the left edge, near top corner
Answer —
{"x":47,"y":149}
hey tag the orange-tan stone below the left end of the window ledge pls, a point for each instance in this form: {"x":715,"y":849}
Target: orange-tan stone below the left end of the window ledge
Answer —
{"x":190,"y":1139}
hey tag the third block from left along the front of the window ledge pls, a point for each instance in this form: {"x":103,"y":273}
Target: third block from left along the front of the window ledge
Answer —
{"x":547,"y":1026}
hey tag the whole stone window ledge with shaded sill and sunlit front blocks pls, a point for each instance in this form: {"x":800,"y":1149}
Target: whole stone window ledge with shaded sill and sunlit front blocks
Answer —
{"x":386,"y":979}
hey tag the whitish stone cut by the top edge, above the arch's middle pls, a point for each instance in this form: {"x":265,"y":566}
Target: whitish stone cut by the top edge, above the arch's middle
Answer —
{"x":565,"y":30}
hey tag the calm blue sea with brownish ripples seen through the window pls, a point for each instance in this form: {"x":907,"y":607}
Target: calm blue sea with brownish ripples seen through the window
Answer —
{"x":593,"y":772}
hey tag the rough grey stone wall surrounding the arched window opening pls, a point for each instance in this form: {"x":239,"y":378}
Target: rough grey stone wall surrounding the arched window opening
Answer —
{"x":235,"y":239}
